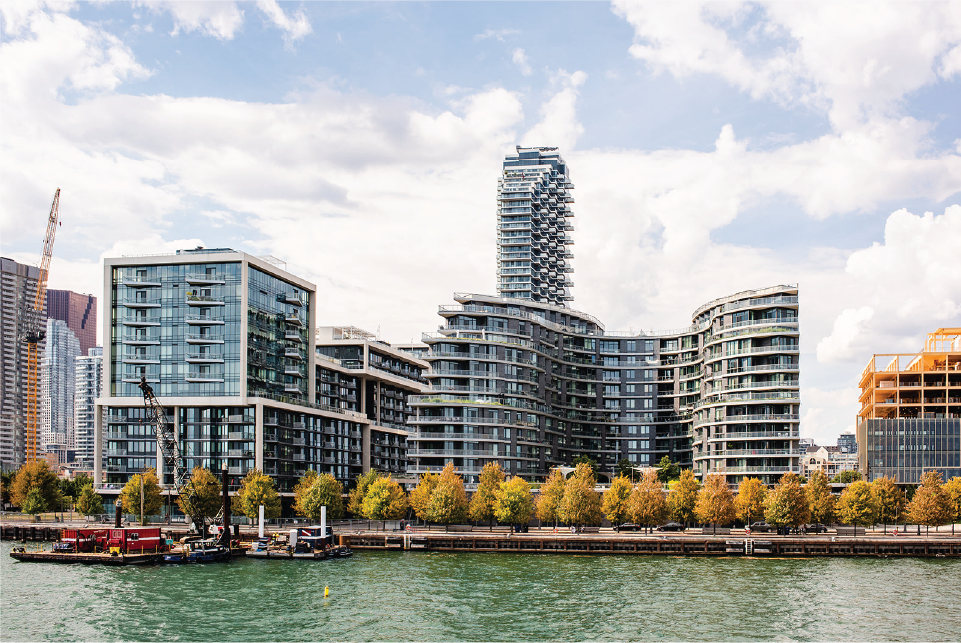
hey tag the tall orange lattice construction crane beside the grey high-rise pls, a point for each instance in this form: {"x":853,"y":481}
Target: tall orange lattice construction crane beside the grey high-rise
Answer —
{"x":35,"y":330}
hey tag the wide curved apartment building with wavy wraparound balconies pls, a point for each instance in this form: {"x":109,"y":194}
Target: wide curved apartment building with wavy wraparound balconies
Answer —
{"x":532,"y":386}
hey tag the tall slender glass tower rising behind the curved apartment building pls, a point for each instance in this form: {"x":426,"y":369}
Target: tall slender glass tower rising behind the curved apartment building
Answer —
{"x":533,"y":212}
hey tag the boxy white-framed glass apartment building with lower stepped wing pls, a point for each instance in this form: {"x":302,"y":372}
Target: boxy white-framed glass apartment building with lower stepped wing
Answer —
{"x":226,"y":340}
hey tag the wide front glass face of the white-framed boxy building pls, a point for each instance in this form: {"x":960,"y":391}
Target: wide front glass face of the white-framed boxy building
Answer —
{"x":178,"y":325}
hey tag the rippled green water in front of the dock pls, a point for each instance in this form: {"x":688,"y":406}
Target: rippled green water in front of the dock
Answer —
{"x":425,"y":597}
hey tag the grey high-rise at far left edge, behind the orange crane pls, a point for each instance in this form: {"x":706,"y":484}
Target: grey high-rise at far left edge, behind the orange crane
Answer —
{"x":18,"y":287}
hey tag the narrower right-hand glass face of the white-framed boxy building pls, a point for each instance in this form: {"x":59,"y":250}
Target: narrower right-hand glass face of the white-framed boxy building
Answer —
{"x":277,"y":338}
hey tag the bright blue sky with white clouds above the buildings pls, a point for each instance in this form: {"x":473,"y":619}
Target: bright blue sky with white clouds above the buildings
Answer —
{"x":715,"y":145}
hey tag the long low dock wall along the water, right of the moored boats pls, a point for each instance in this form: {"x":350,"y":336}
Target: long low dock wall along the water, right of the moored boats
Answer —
{"x":806,"y":546}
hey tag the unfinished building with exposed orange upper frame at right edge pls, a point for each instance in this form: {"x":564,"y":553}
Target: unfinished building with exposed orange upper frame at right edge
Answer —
{"x":910,"y":417}
